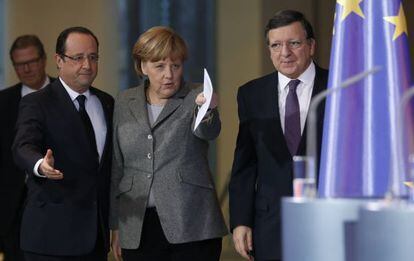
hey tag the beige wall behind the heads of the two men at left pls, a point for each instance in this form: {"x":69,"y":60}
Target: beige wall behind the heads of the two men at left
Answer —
{"x":47,"y":18}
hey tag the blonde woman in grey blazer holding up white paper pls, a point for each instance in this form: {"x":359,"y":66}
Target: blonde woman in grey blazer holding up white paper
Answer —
{"x":163,"y":201}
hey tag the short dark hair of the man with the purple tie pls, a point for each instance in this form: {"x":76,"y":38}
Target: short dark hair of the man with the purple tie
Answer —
{"x":287,"y":17}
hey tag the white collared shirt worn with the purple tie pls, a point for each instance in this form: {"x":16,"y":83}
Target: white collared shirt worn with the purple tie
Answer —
{"x":303,"y":91}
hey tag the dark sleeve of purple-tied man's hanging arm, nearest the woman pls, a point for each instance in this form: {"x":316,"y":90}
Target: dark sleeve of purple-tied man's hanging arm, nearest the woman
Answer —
{"x":243,"y":176}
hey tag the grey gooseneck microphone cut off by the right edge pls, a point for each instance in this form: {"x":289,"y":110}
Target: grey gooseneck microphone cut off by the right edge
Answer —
{"x":393,"y":189}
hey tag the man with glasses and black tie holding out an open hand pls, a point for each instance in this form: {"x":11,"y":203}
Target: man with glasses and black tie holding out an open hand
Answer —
{"x":63,"y":143}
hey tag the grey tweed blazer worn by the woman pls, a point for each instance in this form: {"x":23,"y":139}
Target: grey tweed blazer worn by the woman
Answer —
{"x":170,"y":157}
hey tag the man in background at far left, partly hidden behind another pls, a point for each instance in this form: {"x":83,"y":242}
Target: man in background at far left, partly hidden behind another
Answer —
{"x":29,"y":61}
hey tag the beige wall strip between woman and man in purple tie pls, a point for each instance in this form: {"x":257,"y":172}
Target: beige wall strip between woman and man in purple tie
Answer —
{"x":239,"y":59}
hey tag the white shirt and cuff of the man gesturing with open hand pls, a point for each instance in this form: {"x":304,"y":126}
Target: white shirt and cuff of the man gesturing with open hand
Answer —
{"x":95,"y":112}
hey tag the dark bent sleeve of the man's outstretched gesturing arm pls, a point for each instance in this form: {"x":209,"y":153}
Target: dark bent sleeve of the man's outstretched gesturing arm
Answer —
{"x":28,"y":143}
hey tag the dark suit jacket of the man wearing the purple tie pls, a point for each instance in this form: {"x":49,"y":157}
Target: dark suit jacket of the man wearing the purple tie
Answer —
{"x":262,"y":167}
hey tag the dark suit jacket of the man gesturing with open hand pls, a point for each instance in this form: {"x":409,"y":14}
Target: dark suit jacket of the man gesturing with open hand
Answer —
{"x":61,"y":217}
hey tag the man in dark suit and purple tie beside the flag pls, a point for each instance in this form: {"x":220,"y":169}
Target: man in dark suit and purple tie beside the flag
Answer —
{"x":272,"y":112}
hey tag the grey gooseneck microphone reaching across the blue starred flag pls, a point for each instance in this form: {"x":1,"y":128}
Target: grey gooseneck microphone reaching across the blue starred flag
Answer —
{"x":311,"y":147}
